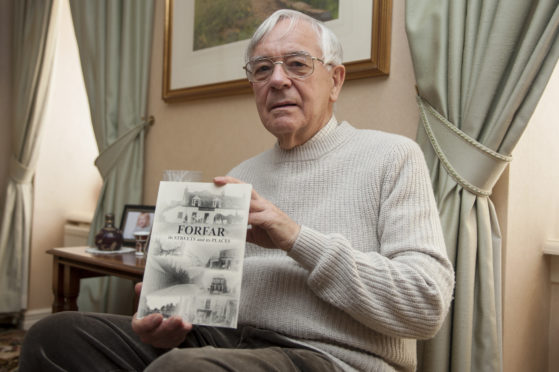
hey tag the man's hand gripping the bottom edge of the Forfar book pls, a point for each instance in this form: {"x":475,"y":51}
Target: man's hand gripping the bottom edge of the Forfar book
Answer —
{"x":158,"y":332}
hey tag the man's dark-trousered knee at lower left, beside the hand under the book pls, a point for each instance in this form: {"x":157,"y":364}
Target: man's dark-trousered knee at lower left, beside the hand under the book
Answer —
{"x":72,"y":340}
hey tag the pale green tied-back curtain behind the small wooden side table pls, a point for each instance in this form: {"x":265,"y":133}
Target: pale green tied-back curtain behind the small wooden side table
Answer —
{"x":114,"y":42}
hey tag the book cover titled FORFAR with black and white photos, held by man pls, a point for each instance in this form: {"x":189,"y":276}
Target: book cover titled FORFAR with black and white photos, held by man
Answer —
{"x":194,"y":262}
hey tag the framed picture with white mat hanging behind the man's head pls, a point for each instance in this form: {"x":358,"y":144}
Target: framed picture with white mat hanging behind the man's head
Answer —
{"x":205,"y":59}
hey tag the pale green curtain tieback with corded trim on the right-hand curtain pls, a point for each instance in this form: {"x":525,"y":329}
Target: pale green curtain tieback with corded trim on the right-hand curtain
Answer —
{"x":474,"y":166}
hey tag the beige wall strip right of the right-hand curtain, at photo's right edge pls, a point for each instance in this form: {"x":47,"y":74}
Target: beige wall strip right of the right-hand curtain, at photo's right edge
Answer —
{"x":533,"y":218}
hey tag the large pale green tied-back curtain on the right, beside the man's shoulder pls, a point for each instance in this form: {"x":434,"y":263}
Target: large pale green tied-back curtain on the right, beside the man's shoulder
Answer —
{"x":481,"y":67}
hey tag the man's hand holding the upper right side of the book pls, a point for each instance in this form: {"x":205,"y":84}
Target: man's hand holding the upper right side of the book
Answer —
{"x":270,"y":226}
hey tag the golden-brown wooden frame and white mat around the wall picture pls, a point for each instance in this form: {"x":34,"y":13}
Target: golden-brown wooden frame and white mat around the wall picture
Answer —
{"x":364,"y":28}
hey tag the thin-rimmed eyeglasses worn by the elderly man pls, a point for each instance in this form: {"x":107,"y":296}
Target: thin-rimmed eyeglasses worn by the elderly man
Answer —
{"x":297,"y":65}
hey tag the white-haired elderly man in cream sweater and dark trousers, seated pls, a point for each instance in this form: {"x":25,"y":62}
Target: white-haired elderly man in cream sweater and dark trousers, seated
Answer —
{"x":345,"y":265}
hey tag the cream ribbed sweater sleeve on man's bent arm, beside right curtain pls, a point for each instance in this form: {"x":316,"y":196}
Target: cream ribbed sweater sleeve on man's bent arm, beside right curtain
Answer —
{"x":403,"y":290}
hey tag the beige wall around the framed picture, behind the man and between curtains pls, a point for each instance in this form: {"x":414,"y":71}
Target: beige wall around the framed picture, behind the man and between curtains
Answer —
{"x":213,"y":135}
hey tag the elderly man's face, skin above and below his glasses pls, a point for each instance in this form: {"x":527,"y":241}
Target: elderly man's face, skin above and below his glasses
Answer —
{"x":293,"y":109}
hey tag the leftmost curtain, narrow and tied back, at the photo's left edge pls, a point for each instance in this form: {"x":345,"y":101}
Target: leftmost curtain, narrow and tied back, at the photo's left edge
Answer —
{"x":34,"y":36}
